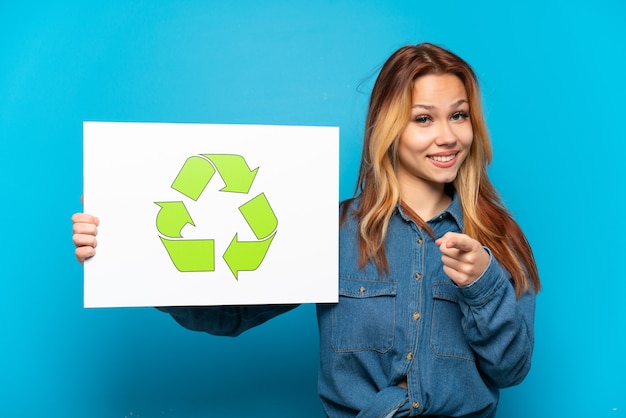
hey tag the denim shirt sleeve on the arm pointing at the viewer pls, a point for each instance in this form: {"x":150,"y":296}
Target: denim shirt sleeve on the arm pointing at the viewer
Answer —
{"x":498,"y":326}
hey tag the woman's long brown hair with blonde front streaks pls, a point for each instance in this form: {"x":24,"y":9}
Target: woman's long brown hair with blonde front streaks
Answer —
{"x":486,"y":219}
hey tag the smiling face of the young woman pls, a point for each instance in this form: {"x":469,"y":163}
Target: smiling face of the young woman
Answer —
{"x":439,"y":134}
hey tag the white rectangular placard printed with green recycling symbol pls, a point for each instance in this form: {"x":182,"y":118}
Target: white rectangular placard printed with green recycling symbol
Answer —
{"x":196,"y":214}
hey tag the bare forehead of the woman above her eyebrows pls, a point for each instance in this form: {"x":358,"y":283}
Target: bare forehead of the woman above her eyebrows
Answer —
{"x":438,"y":88}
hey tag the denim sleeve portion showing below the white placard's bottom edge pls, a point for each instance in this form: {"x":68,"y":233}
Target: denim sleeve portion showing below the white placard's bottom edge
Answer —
{"x":225,"y":320}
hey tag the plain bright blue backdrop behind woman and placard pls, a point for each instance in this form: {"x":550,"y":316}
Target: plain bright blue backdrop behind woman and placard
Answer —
{"x":552,"y":74}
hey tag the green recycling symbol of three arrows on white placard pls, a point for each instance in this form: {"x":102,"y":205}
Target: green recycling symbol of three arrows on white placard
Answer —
{"x":196,"y":255}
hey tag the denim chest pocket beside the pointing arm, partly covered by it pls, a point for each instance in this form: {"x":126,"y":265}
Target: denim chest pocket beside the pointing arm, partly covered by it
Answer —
{"x":446,"y":333}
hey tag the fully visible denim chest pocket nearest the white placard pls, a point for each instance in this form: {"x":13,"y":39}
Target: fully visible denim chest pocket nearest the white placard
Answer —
{"x":364,"y":318}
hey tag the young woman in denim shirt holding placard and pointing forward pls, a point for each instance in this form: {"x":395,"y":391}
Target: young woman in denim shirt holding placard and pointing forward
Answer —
{"x":437,"y":282}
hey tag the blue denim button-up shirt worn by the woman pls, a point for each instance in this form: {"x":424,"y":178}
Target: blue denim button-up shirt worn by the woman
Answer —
{"x":455,"y":346}
